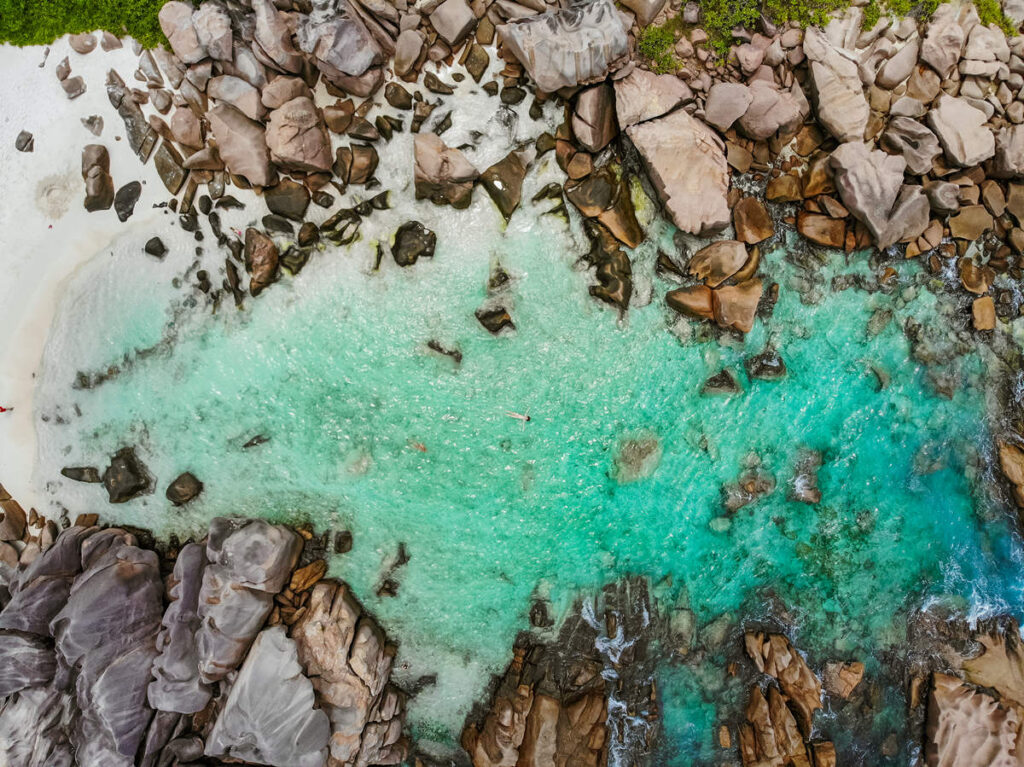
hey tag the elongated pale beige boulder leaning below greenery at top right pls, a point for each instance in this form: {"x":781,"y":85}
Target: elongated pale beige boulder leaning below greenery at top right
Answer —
{"x":842,"y":106}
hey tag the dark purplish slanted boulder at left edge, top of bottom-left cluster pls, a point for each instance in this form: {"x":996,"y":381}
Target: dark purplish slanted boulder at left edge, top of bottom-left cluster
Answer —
{"x":41,"y":590}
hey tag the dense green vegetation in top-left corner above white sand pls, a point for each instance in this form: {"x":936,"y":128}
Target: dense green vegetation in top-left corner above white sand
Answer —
{"x":39,"y":22}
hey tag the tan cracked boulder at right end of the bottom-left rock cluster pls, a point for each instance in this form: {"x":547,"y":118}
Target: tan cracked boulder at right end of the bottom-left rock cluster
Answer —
{"x":349,"y":662}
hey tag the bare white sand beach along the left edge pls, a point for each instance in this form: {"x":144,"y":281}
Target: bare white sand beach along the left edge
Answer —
{"x":46,"y":232}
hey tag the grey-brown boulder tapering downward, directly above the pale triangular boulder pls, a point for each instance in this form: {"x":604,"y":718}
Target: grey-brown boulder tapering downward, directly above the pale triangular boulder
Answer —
{"x":250,"y":562}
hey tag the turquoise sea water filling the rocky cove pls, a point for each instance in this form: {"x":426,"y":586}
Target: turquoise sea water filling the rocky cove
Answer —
{"x":370,"y":432}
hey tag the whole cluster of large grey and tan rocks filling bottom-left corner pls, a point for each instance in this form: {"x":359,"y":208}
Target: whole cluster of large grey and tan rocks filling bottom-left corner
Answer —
{"x":96,"y":670}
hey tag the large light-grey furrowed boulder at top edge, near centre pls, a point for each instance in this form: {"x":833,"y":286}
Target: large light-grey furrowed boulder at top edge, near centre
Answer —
{"x":570,"y":47}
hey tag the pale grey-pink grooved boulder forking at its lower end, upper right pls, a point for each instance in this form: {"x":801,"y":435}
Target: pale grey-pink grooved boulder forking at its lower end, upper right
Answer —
{"x":871,"y":185}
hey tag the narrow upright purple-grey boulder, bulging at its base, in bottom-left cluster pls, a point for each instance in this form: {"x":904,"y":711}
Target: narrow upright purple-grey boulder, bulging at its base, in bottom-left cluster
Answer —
{"x":177,"y":686}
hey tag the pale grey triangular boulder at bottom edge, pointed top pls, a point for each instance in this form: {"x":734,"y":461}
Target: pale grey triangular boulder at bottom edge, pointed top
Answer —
{"x":269,"y":717}
